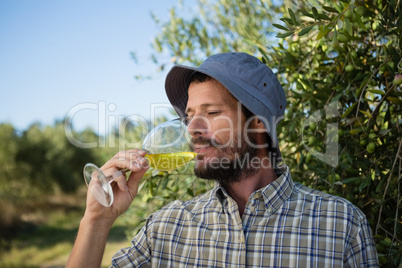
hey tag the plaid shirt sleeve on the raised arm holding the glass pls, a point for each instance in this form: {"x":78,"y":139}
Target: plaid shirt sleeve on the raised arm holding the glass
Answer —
{"x":139,"y":254}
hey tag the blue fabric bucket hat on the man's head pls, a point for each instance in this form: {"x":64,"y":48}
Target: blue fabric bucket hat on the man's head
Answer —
{"x":249,"y":80}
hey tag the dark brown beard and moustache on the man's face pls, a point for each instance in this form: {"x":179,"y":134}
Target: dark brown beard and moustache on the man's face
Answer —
{"x":232,"y":163}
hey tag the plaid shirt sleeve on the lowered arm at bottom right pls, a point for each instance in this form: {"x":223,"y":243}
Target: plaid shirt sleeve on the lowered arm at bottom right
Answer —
{"x":362,"y":251}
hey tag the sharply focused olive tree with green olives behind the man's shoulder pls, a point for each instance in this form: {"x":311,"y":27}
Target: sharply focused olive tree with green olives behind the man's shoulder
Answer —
{"x":350,"y":54}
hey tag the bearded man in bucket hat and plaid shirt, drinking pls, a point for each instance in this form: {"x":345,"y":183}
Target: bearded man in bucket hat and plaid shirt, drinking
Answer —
{"x":256,"y":216}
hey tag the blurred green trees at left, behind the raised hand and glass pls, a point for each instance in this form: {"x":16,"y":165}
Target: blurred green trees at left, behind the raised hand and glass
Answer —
{"x":40,"y":162}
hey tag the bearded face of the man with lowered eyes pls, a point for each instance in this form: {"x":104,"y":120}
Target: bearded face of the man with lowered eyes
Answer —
{"x":216,"y":125}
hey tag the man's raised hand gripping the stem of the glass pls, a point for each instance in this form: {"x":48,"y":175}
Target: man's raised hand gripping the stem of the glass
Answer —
{"x":124,"y":190}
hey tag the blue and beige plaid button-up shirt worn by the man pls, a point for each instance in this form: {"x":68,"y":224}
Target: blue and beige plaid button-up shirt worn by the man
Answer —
{"x":284,"y":225}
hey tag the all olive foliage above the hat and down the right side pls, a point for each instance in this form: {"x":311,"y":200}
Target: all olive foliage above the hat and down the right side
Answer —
{"x":339,"y":63}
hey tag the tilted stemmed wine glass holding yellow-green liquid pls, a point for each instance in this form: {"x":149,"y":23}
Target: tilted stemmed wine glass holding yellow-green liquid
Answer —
{"x":167,"y":148}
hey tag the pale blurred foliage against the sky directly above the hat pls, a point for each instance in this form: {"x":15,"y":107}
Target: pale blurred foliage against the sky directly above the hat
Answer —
{"x":222,"y":26}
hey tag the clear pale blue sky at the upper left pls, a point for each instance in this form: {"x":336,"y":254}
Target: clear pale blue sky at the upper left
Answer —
{"x":56,"y":56}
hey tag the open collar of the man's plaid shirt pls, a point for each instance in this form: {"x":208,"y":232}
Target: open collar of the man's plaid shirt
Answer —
{"x":274,"y":194}
